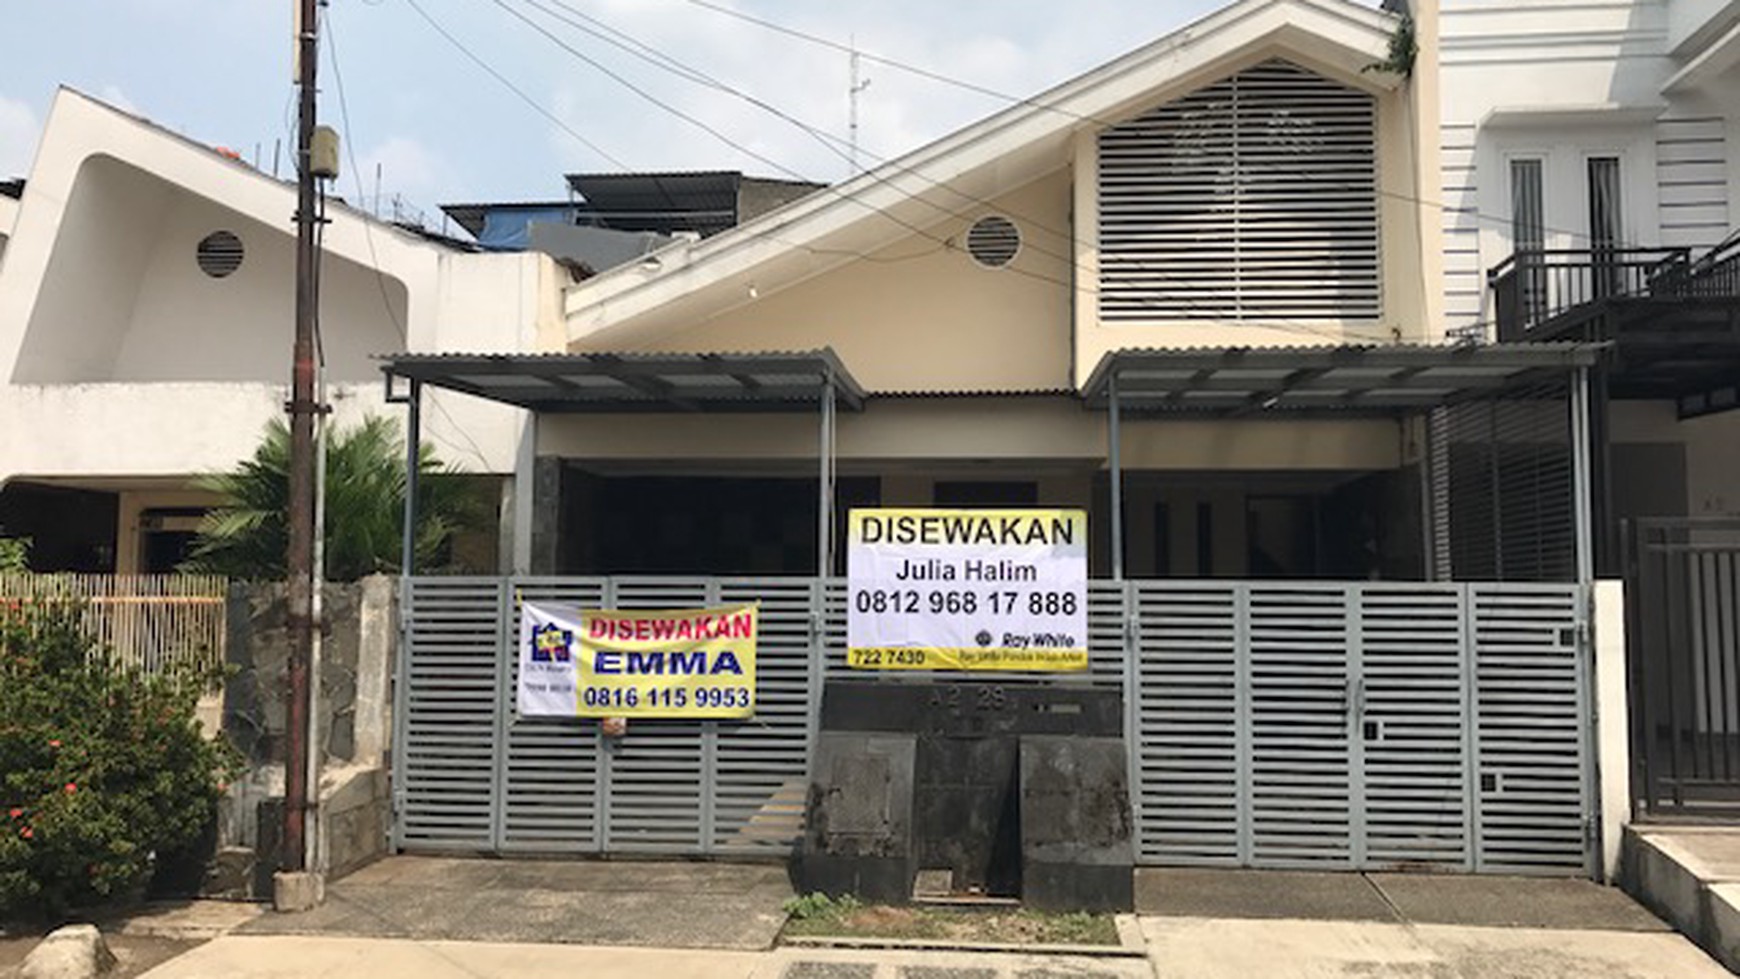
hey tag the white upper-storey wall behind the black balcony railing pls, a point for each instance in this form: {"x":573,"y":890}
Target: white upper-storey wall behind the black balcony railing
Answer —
{"x":1563,"y":81}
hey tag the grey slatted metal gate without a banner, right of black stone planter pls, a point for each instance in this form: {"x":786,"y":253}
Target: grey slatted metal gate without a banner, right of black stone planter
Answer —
{"x":1362,"y":726}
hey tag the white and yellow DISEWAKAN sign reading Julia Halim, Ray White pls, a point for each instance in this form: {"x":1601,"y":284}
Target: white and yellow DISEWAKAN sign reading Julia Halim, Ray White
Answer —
{"x":967,"y":590}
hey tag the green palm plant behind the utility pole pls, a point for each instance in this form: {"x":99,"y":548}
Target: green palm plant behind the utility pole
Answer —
{"x":246,"y":536}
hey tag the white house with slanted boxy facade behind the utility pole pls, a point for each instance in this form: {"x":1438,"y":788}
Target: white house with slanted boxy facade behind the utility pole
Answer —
{"x":147,"y":323}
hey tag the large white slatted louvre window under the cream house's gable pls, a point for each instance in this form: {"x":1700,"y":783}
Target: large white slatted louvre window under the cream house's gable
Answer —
{"x":1254,"y":199}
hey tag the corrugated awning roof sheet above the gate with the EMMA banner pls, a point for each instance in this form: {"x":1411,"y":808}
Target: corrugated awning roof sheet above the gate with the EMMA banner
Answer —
{"x":639,"y":382}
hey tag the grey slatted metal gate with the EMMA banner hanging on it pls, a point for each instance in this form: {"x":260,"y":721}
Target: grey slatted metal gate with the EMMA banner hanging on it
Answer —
{"x":472,"y":776}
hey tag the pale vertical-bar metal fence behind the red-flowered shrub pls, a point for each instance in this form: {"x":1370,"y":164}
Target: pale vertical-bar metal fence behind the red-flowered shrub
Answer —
{"x":147,"y":622}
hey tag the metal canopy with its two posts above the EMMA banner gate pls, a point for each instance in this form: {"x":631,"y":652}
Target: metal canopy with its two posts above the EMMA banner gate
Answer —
{"x":573,"y":383}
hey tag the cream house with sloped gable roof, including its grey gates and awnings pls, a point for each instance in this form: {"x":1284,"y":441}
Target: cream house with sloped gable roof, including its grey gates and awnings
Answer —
{"x":1196,"y":295}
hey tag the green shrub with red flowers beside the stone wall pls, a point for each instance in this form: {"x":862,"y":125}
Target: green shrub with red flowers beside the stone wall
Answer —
{"x":104,"y":771}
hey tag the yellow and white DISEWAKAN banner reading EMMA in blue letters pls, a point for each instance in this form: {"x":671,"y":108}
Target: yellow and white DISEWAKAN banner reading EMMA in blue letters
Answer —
{"x":655,"y":665}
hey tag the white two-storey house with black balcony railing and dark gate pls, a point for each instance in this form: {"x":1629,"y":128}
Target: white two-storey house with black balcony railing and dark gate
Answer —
{"x":1593,"y":194}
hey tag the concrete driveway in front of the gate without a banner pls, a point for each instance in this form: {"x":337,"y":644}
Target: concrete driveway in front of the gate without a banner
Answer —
{"x":1342,"y":926}
